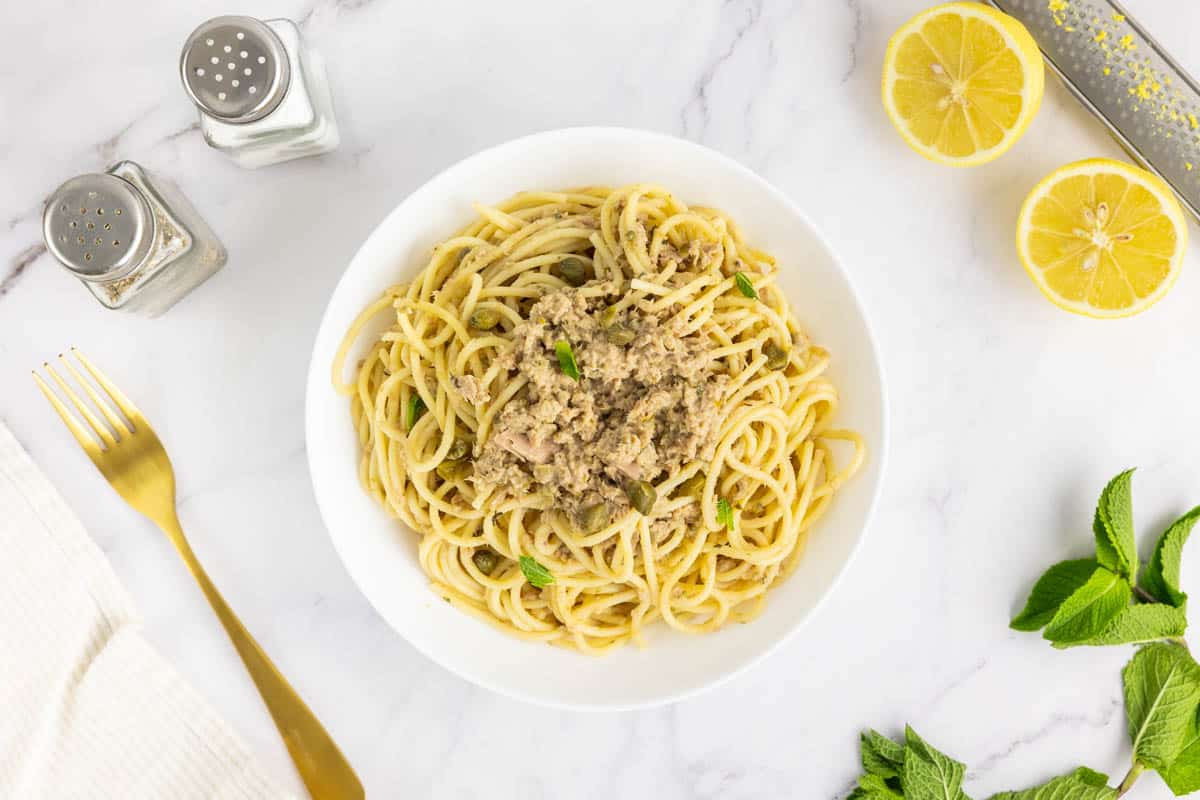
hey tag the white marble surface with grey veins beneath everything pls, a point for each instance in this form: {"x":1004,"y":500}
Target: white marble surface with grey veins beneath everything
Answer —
{"x":1009,"y":414}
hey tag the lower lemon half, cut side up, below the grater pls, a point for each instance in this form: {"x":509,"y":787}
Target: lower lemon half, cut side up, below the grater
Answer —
{"x":1102,"y":238}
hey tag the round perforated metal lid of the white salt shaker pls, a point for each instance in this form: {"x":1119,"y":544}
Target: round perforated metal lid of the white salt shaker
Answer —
{"x":236,"y":69}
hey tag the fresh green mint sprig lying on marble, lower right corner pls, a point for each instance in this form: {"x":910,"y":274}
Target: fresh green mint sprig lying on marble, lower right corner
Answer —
{"x":1091,"y":601}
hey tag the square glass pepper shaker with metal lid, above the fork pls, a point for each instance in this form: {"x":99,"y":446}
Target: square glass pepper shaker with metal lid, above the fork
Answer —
{"x":131,"y":238}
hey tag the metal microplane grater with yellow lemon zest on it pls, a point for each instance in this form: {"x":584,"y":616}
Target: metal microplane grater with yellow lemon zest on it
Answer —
{"x":1126,"y":79}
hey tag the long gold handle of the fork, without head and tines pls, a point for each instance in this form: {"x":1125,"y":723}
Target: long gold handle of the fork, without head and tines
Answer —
{"x":322,"y":766}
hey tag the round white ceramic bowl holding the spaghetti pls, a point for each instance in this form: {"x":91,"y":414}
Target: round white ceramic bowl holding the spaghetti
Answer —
{"x":381,"y":554}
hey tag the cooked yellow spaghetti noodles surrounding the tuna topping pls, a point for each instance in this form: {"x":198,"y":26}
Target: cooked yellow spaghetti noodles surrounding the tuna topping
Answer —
{"x":701,"y":557}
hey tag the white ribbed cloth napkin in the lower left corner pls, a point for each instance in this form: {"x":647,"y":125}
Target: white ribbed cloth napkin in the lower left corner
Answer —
{"x":88,"y":708}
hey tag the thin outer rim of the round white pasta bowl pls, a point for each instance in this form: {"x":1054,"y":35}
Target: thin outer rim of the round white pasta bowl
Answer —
{"x":317,"y":377}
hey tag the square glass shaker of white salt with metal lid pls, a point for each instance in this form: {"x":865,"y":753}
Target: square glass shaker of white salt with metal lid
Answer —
{"x":262,"y":92}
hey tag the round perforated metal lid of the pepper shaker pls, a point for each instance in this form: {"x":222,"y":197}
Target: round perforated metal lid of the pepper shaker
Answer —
{"x":99,"y":226}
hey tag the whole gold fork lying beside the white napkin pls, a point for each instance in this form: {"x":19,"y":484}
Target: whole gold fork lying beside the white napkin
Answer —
{"x":135,"y":462}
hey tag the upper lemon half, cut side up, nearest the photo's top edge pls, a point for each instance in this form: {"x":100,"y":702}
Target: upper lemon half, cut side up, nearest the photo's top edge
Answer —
{"x":962,"y":83}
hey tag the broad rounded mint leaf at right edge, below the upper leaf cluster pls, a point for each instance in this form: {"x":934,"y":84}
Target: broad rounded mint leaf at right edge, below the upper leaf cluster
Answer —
{"x":1162,"y":690}
